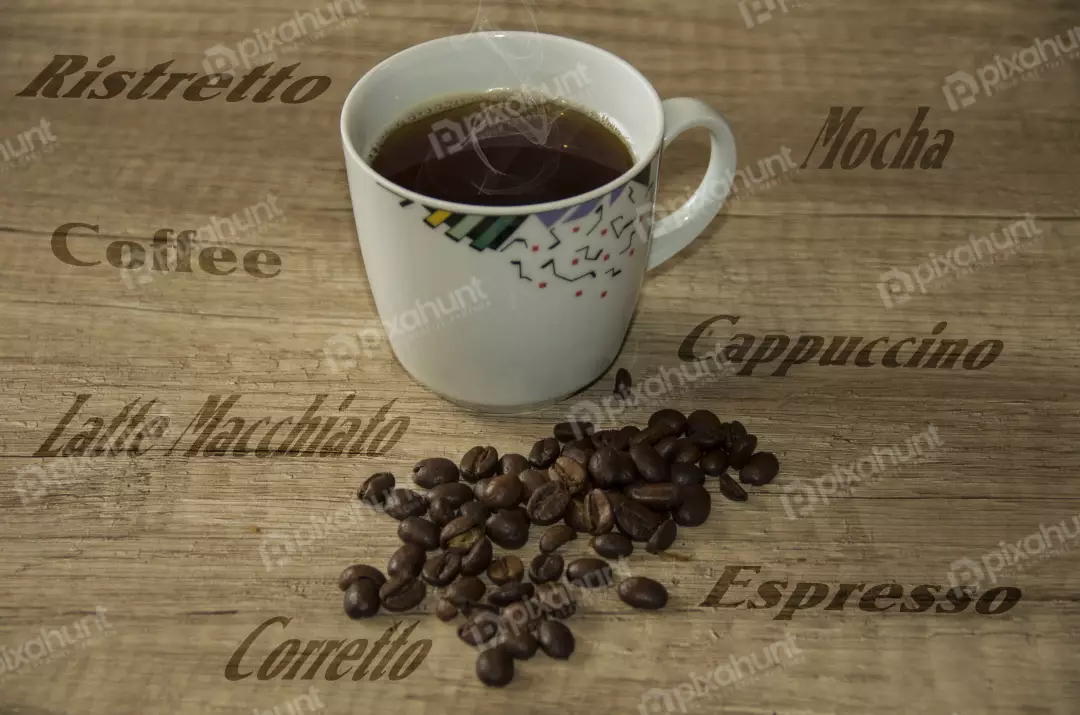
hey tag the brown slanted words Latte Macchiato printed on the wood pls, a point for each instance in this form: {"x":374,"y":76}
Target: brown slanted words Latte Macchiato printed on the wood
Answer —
{"x":129,"y":428}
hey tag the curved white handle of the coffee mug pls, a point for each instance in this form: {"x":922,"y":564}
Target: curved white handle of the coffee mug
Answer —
{"x":676,"y":233}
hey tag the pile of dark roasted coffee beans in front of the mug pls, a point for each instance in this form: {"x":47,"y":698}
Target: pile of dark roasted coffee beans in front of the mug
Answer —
{"x":620,"y":488}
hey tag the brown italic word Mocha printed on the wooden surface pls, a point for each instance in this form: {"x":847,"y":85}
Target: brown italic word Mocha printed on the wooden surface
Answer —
{"x":834,"y":136}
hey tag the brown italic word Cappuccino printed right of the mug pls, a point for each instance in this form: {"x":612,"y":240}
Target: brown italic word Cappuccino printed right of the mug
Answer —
{"x":840,"y":352}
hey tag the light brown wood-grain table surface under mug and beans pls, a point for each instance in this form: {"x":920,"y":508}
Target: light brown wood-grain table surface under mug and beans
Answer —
{"x":129,"y":582}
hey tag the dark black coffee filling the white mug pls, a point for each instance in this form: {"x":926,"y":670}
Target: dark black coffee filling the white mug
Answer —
{"x":503,"y":150}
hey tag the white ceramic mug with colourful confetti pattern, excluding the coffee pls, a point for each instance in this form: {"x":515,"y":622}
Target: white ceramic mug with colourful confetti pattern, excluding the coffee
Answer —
{"x":508,"y":309}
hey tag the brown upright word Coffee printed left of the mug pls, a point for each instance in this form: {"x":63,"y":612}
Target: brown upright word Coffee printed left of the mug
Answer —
{"x":168,"y":254}
